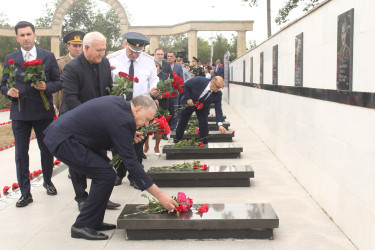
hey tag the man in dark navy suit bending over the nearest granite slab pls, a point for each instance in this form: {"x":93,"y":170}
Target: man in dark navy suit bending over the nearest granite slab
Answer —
{"x":79,"y":138}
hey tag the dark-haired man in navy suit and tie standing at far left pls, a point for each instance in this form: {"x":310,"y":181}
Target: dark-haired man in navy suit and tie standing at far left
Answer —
{"x":32,"y":113}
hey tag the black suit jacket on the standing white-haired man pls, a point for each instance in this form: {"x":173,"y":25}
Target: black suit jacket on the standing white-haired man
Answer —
{"x":77,"y":82}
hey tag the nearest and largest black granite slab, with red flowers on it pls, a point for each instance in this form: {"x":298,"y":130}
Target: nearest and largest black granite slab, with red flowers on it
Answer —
{"x":239,"y":221}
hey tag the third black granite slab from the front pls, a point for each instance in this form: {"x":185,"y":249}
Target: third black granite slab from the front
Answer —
{"x":210,"y":151}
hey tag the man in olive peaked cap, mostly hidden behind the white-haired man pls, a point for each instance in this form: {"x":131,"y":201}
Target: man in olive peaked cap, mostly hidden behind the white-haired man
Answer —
{"x":74,"y":45}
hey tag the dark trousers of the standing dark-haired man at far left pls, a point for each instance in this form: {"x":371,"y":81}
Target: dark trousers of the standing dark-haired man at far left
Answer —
{"x":22,"y":132}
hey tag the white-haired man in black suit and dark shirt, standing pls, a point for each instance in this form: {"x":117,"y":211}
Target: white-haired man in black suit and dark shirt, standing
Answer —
{"x":84,"y":78}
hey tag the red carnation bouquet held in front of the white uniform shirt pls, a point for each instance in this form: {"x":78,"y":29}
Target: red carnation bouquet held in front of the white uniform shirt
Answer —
{"x":123,"y":84}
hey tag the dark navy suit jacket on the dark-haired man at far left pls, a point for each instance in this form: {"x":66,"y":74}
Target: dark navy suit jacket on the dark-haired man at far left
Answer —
{"x":31,"y":102}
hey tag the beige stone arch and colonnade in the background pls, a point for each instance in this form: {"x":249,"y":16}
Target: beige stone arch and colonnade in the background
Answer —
{"x":154,"y":32}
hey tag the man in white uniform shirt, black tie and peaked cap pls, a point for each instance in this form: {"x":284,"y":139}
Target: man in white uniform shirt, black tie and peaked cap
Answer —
{"x":132,"y":60}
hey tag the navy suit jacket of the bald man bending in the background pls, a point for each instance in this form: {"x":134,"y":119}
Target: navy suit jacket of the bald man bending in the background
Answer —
{"x":194,"y":87}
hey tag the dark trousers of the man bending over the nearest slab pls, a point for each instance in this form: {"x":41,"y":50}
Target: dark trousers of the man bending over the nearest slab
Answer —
{"x":96,"y":166}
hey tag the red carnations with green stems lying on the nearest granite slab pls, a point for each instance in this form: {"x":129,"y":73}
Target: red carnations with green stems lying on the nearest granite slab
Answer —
{"x":184,"y":205}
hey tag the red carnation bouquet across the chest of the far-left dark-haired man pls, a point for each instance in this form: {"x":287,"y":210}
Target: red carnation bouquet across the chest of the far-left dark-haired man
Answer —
{"x":35,"y":73}
